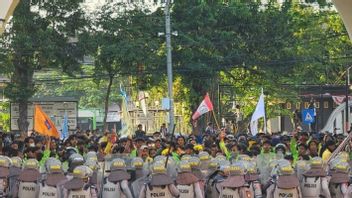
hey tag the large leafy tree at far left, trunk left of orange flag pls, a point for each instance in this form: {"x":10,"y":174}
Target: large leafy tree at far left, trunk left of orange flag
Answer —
{"x":38,"y":38}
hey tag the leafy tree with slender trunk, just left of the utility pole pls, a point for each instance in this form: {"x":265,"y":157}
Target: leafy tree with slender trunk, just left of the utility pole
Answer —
{"x":122,"y":42}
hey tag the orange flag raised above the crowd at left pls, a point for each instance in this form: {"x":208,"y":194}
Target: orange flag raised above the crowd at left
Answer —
{"x":43,"y":124}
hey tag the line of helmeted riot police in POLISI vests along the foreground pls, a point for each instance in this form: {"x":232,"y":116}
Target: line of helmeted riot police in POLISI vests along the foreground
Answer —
{"x":198,"y":176}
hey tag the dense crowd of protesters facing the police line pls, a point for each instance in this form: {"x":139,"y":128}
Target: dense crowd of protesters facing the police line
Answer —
{"x":262,"y":149}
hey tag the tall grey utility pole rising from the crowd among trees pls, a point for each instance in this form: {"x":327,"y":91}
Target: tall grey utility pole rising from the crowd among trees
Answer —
{"x":169,"y":64}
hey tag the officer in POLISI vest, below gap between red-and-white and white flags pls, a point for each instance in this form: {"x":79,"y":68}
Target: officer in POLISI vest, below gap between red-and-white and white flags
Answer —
{"x":235,"y":185}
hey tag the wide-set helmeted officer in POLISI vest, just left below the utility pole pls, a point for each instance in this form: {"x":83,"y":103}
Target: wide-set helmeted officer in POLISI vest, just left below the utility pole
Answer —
{"x":160,"y":185}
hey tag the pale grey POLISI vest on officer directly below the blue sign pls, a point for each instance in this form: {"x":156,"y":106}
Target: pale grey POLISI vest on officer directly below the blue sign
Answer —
{"x":311,"y":186}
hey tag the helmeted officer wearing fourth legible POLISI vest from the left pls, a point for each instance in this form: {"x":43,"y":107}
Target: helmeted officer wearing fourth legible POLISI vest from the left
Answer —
{"x":116,"y":184}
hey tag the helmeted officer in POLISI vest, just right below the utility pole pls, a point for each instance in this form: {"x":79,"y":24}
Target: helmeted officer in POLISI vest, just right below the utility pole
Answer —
{"x":187,"y":183}
